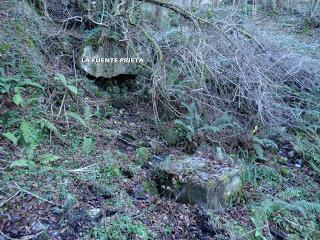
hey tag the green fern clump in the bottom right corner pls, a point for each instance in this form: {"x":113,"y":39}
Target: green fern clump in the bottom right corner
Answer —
{"x":288,"y":204}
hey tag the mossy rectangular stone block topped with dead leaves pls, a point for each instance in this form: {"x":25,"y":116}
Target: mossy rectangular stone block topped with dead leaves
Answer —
{"x":196,"y":180}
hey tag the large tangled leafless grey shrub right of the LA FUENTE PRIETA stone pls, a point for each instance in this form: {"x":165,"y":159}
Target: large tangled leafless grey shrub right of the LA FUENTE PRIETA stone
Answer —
{"x":217,"y":65}
